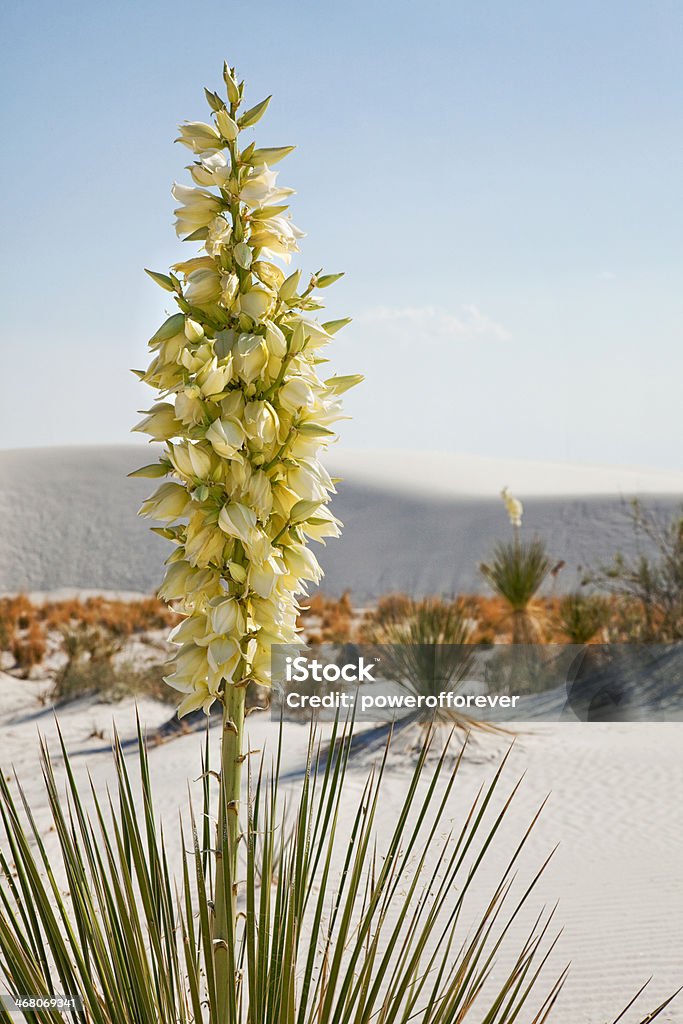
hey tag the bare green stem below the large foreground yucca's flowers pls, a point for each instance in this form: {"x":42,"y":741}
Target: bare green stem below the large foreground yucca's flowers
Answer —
{"x":232,"y":757}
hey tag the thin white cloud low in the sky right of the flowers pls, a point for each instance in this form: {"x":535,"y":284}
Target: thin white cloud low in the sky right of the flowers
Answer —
{"x":468,"y":324}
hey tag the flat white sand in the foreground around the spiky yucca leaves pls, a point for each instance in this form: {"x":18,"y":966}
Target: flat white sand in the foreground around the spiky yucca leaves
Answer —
{"x":615,"y":807}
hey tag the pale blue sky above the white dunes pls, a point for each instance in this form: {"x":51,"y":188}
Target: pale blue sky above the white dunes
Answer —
{"x":501,"y":183}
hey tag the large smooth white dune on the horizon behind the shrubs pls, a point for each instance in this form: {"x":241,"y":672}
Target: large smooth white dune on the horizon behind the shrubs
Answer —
{"x":414,"y":522}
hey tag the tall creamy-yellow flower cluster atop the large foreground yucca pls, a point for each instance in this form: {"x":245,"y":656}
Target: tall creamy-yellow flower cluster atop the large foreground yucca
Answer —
{"x":243,"y":413}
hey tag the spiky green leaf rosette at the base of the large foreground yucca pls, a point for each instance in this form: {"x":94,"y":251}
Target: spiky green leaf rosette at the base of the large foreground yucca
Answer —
{"x":329,"y":923}
